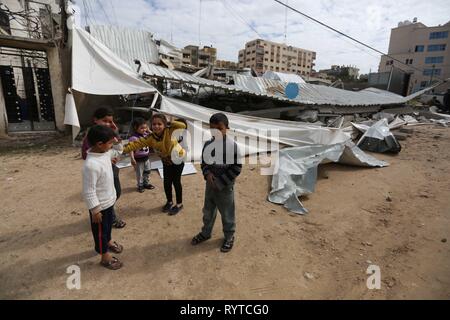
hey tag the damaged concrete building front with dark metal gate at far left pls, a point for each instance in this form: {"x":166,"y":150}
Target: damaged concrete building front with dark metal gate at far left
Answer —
{"x":32,"y":55}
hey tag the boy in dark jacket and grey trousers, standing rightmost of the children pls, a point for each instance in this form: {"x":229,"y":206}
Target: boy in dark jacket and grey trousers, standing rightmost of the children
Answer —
{"x":221,"y":164}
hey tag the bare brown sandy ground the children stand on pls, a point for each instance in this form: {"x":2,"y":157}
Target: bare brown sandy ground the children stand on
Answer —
{"x":324,"y":255}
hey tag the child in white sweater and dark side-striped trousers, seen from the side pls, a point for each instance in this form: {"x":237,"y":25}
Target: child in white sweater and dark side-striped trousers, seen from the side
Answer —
{"x":99,"y":192}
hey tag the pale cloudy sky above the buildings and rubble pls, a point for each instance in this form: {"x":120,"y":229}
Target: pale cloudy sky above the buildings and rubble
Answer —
{"x":229,"y":24}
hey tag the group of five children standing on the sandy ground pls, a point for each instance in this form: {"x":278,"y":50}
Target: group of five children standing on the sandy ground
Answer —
{"x":101,"y":186}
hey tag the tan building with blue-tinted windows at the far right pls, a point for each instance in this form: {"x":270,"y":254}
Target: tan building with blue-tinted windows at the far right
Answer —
{"x":424,"y":51}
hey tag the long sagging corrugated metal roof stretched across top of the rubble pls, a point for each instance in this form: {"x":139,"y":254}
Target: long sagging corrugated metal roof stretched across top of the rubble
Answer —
{"x":310,"y":94}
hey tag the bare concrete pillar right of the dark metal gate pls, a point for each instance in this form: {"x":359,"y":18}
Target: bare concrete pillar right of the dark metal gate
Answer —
{"x":59,"y":87}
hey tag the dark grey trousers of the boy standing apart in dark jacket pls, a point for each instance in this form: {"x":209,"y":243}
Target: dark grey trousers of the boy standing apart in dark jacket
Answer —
{"x":223,"y":201}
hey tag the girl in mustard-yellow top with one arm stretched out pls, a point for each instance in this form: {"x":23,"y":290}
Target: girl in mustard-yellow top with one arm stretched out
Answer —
{"x":171,"y":153}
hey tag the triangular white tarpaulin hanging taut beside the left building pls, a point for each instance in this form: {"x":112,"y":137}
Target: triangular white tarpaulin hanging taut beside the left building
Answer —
{"x":97,"y":70}
